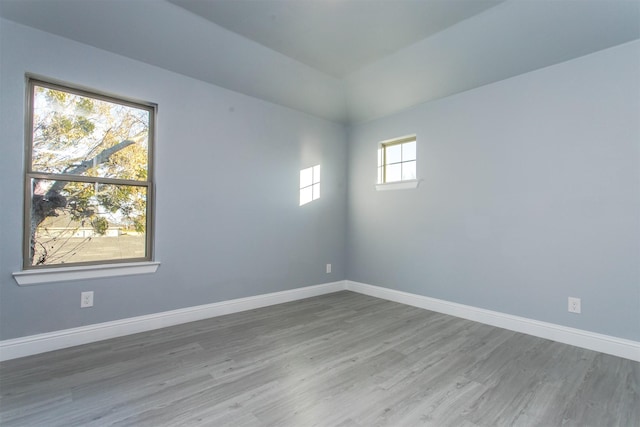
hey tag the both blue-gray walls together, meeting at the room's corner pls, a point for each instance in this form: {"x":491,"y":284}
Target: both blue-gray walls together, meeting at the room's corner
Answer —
{"x":530,"y":194}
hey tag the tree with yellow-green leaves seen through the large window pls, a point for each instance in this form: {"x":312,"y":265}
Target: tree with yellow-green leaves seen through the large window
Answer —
{"x":68,"y":130}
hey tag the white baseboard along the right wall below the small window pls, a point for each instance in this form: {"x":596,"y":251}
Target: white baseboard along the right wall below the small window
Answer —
{"x":580,"y":338}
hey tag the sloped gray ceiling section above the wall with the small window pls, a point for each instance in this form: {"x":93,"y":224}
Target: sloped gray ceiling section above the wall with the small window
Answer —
{"x":507,"y":40}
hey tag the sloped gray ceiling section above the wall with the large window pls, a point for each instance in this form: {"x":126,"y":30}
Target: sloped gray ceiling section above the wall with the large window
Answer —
{"x":186,"y":44}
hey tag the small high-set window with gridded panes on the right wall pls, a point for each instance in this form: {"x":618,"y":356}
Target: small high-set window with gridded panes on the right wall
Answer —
{"x":397,"y":160}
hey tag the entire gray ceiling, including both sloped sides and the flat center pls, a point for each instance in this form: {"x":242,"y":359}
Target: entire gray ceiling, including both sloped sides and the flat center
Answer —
{"x":344,"y":60}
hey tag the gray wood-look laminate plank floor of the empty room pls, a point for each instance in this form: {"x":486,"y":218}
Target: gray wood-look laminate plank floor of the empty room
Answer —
{"x":342,"y":359}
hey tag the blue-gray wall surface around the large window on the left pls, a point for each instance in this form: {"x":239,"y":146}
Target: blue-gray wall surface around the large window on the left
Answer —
{"x":228,"y":224}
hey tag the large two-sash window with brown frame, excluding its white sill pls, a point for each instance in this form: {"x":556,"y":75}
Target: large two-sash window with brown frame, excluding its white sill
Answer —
{"x":88,"y":181}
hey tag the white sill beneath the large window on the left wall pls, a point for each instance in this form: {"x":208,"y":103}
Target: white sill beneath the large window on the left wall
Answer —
{"x":49,"y":275}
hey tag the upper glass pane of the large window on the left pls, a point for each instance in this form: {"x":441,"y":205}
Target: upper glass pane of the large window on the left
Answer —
{"x":80,"y":135}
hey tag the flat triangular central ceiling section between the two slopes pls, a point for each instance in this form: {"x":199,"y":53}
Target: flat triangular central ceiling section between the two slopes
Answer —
{"x":336,"y":37}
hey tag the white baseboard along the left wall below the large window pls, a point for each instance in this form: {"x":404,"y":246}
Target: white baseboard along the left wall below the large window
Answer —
{"x":35,"y":344}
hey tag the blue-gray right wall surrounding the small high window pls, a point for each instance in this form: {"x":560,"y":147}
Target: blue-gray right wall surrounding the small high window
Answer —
{"x":530,"y":194}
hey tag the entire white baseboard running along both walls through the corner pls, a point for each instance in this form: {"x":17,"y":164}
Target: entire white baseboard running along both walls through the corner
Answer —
{"x":35,"y":344}
